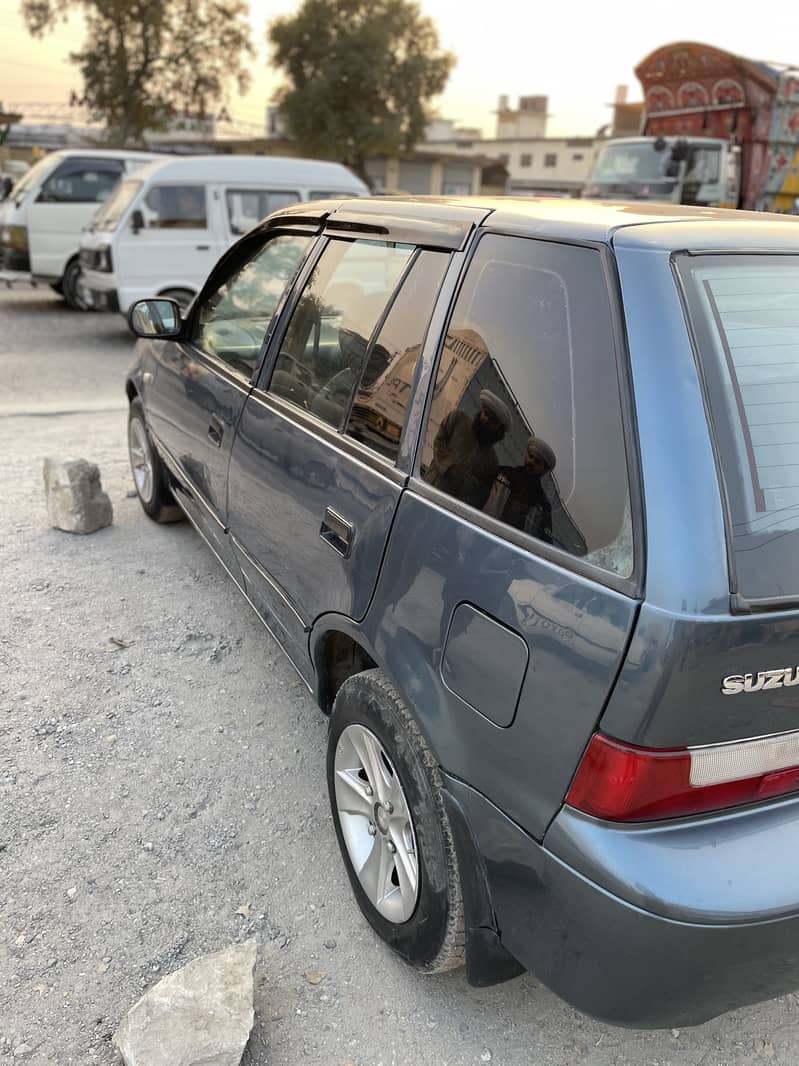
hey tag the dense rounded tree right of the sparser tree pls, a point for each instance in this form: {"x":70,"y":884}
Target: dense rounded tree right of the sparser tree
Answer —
{"x":361,"y":73}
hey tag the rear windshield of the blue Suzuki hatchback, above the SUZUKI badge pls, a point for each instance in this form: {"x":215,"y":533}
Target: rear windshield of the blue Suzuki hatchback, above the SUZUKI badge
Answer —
{"x":745,"y":311}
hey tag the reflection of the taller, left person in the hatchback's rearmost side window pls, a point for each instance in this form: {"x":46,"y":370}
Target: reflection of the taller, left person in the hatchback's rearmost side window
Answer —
{"x":465,"y":463}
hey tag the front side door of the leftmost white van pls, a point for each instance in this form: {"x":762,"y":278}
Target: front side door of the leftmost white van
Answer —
{"x":64,"y":206}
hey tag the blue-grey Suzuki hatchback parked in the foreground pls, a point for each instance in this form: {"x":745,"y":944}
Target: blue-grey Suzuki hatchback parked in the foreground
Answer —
{"x":516,"y":488}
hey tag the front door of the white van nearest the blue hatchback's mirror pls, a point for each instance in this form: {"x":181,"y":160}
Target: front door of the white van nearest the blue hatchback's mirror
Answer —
{"x":171,"y":241}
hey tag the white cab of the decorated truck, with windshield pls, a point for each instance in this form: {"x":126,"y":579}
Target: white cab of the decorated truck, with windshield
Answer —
{"x":705,"y":172}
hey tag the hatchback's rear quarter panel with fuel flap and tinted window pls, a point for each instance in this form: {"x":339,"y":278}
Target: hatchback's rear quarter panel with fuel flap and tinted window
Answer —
{"x":509,"y":591}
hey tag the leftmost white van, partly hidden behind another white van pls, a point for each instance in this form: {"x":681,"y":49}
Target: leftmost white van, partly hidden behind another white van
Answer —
{"x":42,"y":219}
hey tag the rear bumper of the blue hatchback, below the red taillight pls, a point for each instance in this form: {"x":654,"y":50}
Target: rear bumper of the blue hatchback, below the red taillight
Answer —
{"x":635,"y":962}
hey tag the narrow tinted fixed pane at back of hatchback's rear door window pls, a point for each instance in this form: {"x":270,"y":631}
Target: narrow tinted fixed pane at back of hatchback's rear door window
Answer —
{"x":382,"y":400}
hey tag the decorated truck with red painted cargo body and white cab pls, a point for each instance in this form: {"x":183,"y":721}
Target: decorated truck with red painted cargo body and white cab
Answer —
{"x":719,"y":130}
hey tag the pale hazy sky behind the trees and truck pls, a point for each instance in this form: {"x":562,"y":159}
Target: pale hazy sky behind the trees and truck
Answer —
{"x":575,"y":53}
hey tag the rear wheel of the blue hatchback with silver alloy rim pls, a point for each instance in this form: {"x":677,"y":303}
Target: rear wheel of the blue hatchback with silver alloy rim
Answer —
{"x":395,"y":835}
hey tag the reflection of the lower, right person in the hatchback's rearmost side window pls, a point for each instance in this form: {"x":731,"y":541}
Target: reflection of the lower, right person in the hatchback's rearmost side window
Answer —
{"x":518,"y":497}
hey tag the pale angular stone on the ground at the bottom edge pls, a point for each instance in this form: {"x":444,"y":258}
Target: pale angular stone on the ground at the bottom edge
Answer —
{"x":202,"y":1014}
